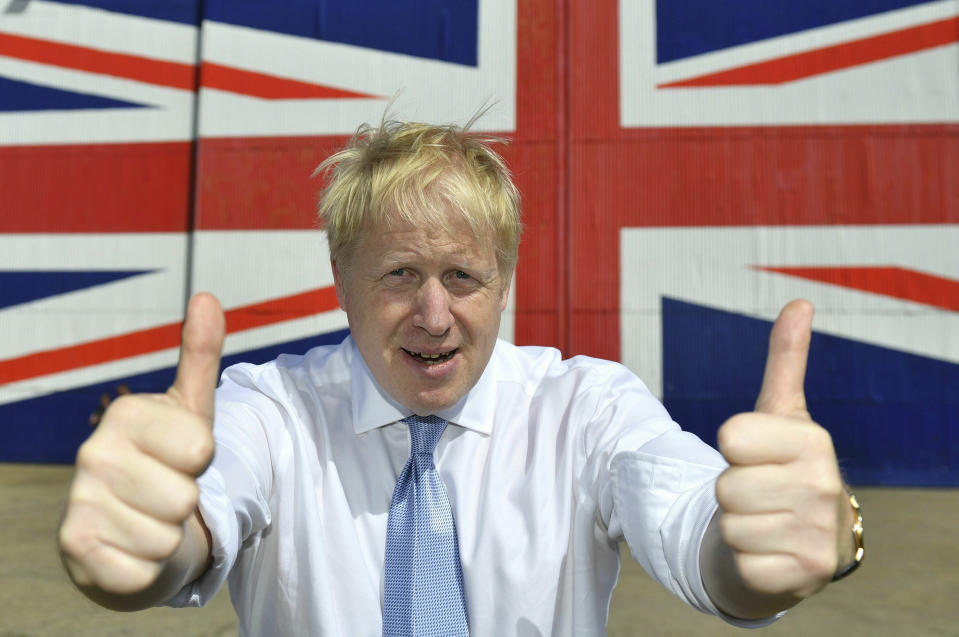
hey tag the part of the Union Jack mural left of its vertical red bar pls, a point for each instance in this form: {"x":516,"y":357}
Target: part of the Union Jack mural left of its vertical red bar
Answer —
{"x":150,"y":150}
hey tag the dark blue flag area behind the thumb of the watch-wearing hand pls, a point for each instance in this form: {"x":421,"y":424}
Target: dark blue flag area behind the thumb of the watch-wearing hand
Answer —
{"x":891,"y":414}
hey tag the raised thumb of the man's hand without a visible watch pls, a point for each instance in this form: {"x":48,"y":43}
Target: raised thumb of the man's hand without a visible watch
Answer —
{"x":200,"y":349}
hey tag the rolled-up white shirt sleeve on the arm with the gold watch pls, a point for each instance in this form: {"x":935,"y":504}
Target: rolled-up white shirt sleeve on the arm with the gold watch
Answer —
{"x":656,"y":489}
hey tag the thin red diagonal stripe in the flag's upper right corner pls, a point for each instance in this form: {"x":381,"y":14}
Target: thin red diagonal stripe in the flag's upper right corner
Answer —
{"x":832,"y":58}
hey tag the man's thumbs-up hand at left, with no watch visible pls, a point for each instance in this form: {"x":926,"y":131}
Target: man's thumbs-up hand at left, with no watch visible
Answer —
{"x":130,"y":532}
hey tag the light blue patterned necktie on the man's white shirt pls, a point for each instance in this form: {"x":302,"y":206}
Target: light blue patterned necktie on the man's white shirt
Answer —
{"x":423,"y":591}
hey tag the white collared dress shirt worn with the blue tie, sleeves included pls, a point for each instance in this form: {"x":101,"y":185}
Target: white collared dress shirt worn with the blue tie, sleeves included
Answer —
{"x":548,"y":463}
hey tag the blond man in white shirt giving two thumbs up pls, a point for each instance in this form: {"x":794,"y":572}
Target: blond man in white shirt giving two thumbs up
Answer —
{"x":537,"y":467}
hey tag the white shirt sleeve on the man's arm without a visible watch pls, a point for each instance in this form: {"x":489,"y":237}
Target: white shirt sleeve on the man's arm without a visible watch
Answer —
{"x":235,"y":489}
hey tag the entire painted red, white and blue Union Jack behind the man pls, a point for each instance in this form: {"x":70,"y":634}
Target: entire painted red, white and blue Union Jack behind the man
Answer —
{"x":686,"y":169}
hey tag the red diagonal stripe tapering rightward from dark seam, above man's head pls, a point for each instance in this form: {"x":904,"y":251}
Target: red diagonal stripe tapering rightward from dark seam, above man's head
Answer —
{"x":269,"y":87}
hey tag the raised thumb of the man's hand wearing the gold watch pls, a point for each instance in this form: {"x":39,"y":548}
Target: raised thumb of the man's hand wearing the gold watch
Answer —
{"x":782,"y":390}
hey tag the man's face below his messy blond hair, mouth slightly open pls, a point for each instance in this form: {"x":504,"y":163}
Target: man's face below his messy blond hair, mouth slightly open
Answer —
{"x":424,"y":310}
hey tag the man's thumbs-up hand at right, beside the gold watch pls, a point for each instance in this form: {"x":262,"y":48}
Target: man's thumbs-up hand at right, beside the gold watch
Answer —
{"x":785,"y":514}
